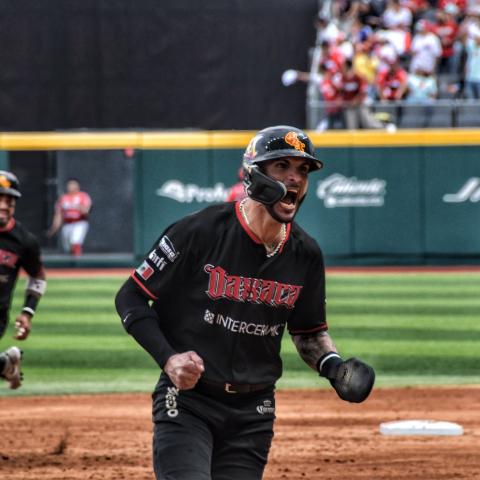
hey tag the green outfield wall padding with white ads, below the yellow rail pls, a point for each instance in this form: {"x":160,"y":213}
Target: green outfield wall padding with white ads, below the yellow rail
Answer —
{"x":369,"y":205}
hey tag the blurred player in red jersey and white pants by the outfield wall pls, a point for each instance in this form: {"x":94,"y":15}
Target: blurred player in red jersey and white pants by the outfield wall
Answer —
{"x":71,"y":215}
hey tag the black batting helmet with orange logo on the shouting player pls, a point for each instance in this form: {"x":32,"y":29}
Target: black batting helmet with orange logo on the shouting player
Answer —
{"x":269,"y":144}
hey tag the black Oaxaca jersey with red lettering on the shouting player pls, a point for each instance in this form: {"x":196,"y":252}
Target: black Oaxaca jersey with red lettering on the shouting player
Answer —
{"x":216,"y":292}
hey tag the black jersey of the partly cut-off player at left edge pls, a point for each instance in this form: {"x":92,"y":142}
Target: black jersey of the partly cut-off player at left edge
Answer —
{"x":18,"y":248}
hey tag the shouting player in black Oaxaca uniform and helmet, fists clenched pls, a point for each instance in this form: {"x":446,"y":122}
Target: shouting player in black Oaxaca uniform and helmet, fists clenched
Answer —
{"x":210,"y":303}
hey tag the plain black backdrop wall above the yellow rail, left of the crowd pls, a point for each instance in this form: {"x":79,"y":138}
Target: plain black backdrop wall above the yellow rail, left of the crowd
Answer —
{"x":152,"y":63}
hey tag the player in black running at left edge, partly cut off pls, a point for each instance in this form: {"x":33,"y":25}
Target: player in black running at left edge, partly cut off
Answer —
{"x":18,"y":248}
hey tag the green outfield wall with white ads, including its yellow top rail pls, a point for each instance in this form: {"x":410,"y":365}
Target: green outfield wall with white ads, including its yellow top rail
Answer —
{"x":406,"y":197}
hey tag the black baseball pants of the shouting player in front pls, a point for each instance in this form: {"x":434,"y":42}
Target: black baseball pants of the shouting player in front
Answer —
{"x":199,"y":437}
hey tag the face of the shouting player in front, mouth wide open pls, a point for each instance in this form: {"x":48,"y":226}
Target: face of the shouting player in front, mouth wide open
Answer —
{"x":293,"y":173}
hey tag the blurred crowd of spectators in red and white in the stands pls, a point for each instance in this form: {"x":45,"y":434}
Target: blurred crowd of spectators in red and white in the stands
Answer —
{"x":393,"y":50}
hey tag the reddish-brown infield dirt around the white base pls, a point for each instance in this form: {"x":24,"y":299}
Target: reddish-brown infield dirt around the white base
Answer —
{"x":317,"y":436}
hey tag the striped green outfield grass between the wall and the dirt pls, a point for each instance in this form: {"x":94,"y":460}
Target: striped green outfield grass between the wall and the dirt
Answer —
{"x":415,"y":329}
